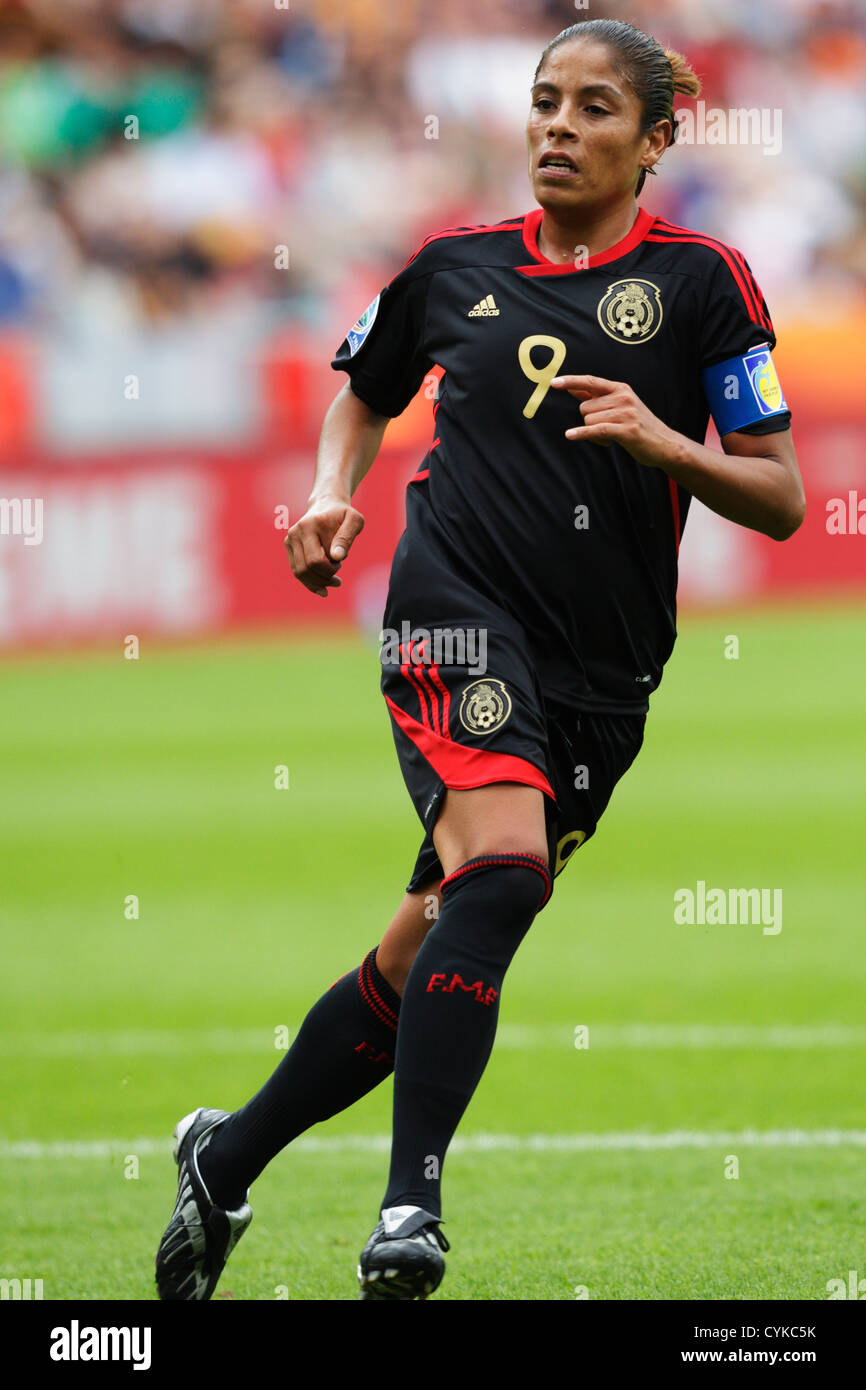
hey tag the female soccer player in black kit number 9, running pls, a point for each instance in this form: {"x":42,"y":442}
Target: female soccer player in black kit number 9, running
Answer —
{"x":532,"y":608}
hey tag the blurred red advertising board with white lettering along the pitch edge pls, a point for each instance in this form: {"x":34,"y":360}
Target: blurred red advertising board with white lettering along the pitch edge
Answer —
{"x":190,"y":543}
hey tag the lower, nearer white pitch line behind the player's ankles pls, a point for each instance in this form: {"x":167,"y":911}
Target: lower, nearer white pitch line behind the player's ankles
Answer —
{"x":625,"y":1142}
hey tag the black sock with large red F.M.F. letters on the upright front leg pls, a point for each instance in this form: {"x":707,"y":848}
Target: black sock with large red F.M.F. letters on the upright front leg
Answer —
{"x":448,"y":1015}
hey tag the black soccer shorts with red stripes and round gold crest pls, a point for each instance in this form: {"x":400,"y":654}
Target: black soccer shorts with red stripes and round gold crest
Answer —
{"x":468,"y":711}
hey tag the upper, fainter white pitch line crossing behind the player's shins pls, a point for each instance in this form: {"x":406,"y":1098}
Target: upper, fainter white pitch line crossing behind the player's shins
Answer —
{"x":509,"y":1038}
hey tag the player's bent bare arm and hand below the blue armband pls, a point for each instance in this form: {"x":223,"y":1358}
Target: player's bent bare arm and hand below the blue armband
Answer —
{"x":755,"y":483}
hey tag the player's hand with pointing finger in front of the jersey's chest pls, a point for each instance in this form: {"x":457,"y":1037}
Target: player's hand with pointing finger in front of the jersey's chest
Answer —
{"x":615,"y":415}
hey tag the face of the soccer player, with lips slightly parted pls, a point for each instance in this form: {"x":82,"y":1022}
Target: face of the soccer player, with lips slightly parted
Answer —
{"x":583,"y":109}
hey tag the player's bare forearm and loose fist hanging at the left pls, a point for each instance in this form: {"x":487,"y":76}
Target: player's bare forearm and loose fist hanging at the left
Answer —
{"x":318,"y":546}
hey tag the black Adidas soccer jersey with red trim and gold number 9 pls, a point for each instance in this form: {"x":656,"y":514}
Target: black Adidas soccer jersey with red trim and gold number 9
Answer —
{"x":576,"y":541}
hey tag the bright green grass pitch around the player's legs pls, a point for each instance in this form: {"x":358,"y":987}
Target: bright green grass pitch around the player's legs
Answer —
{"x":604,"y":1168}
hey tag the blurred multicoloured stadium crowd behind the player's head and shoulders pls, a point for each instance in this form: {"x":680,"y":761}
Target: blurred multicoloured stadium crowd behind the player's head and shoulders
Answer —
{"x":155,"y":154}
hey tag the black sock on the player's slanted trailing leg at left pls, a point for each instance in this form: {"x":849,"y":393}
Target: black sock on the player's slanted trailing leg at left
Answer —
{"x":344,"y":1050}
